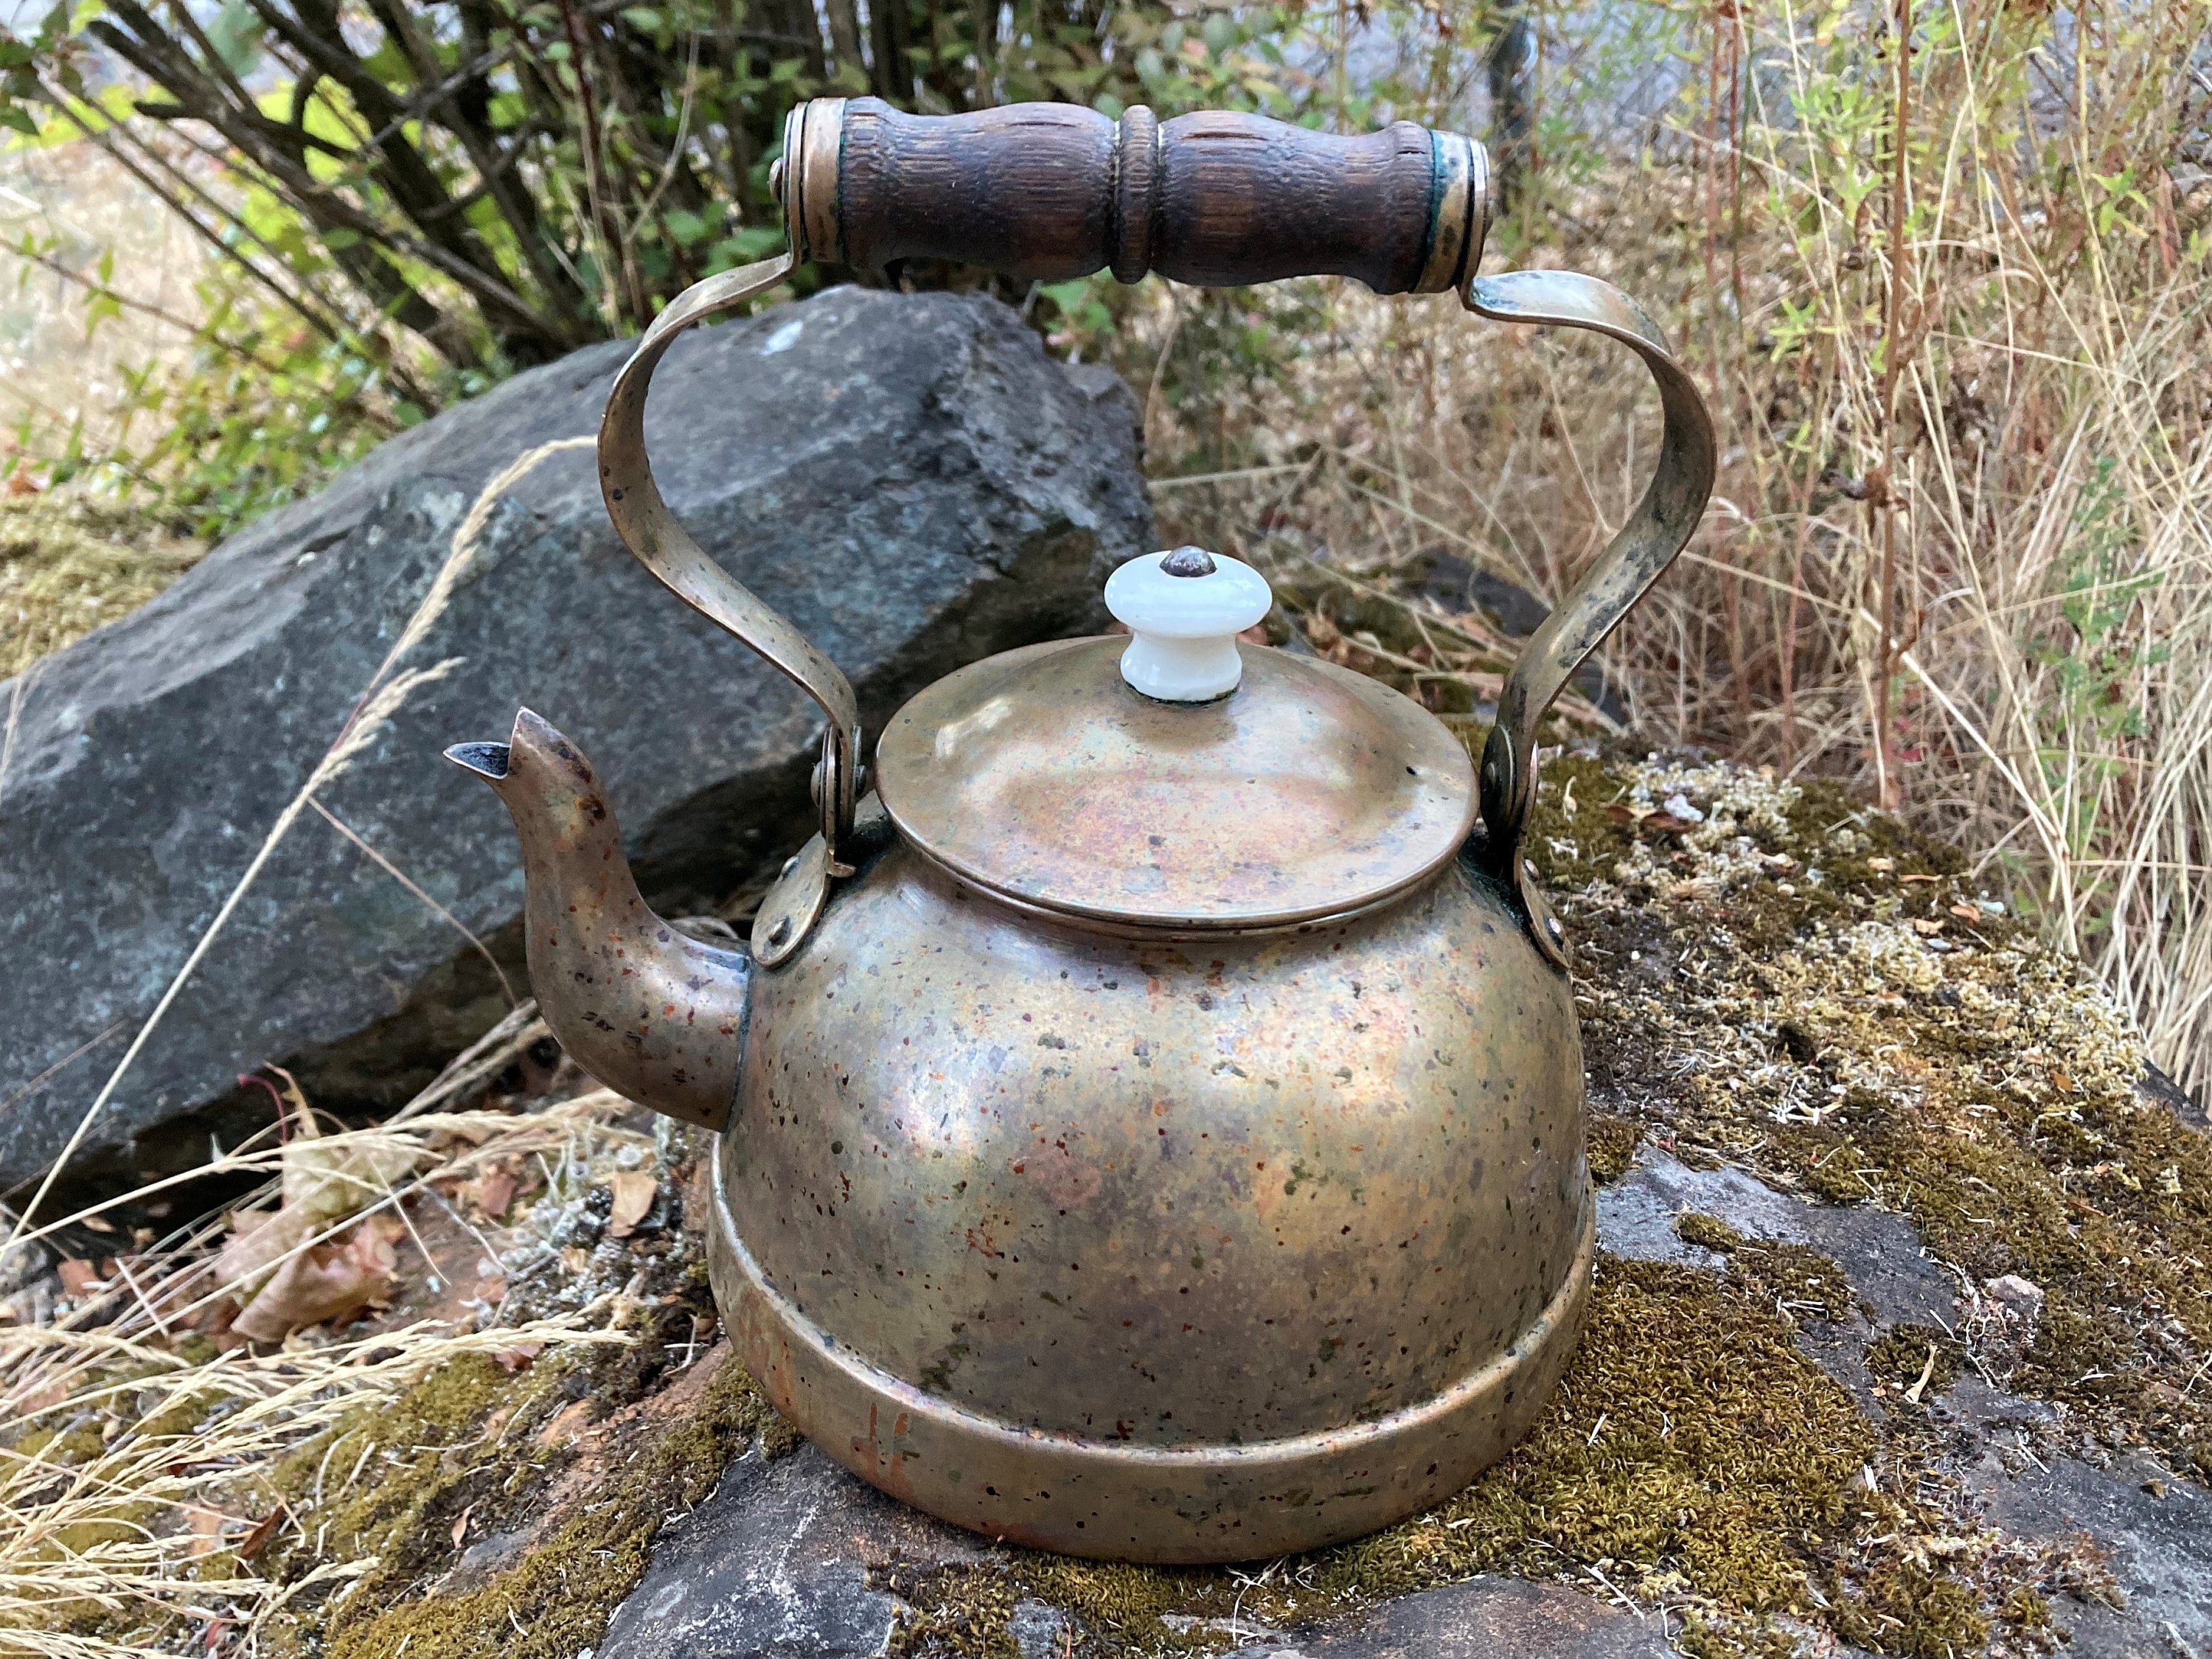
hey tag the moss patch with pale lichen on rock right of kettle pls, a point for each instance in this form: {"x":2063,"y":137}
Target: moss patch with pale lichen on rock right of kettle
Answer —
{"x":1846,"y":1016}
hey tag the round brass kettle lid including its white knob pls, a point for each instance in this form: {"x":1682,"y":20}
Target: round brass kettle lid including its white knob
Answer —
{"x":1180,"y":778}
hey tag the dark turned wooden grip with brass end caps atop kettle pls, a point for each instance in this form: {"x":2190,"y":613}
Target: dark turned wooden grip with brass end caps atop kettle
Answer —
{"x":1054,"y":191}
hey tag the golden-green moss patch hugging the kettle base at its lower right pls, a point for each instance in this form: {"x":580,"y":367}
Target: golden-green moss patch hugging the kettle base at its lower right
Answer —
{"x":1691,"y":1443}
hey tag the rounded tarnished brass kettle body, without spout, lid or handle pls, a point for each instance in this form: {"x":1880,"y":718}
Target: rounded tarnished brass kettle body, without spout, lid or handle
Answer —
{"x":1158,"y":1251}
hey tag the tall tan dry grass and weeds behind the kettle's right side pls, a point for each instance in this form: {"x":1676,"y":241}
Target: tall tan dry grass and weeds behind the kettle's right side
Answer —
{"x":1959,"y":552}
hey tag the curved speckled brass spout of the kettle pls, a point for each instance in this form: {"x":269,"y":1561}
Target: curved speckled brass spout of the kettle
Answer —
{"x":649,"y":1012}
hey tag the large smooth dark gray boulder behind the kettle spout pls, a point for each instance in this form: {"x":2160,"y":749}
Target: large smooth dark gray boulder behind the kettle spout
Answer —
{"x":910,"y":479}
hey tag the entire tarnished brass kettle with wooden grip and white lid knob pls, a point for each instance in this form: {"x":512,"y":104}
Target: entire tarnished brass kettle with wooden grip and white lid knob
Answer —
{"x":1151,"y":1107}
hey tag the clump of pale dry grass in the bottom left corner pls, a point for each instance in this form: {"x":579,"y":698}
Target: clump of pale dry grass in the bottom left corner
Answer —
{"x":147,"y":1459}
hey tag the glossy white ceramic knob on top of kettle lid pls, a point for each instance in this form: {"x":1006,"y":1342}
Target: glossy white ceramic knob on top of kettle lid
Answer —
{"x":1185,"y":612}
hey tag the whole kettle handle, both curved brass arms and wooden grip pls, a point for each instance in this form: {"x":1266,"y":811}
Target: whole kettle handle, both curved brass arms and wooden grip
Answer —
{"x":1052,"y":191}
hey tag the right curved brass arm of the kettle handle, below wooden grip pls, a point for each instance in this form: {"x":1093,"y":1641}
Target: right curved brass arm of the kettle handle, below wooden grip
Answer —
{"x":1618,"y":578}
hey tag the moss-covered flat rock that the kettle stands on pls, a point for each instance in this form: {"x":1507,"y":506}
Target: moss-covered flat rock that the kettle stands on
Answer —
{"x":1757,"y":1448}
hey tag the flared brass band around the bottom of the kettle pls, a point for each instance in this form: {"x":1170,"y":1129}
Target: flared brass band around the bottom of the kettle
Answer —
{"x":1129,"y":1503}
